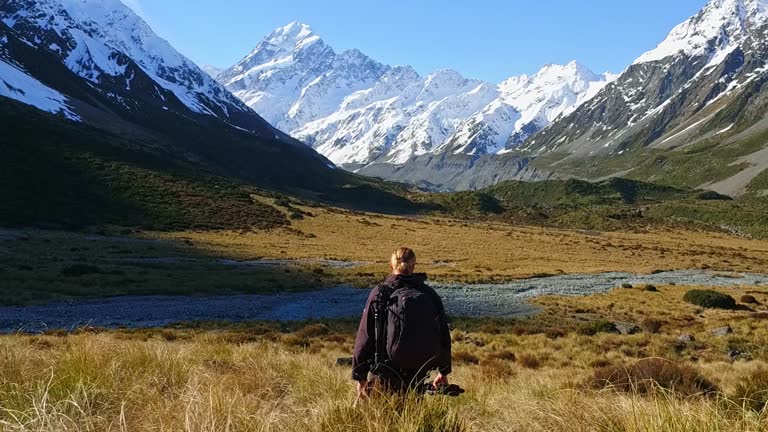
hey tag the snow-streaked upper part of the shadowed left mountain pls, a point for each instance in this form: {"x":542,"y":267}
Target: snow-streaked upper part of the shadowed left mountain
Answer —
{"x":107,"y":44}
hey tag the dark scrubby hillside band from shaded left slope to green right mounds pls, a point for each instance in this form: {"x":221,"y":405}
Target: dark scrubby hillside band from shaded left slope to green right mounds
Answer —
{"x":62,"y":174}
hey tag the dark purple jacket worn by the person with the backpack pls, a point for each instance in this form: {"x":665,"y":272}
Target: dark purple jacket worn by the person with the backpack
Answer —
{"x":363,"y":356}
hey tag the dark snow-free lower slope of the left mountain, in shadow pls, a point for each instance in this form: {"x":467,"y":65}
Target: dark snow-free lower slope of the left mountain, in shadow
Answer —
{"x":58,"y":173}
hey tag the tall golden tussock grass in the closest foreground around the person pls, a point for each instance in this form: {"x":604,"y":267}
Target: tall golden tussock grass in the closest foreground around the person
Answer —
{"x":98,"y":383}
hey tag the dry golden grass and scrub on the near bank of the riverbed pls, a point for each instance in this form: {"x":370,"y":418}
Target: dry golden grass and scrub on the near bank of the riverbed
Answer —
{"x":257,"y":377}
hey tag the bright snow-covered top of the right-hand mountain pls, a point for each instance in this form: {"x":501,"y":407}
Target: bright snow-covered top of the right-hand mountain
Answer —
{"x":718,"y":27}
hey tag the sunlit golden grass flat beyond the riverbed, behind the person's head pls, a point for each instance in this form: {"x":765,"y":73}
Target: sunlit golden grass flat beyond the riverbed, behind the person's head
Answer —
{"x":465,"y":251}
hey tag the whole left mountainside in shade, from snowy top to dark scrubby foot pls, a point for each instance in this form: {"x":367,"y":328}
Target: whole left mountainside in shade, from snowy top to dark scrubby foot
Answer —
{"x":139,"y":129}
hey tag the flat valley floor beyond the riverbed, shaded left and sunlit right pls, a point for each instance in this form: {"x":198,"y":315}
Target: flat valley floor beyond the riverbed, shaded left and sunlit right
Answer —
{"x":327,"y":247}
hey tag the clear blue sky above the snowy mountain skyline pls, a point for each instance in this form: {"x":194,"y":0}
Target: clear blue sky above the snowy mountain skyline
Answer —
{"x":489,"y":40}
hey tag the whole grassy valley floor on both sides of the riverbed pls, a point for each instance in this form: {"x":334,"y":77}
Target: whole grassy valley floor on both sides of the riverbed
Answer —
{"x":565,"y":368}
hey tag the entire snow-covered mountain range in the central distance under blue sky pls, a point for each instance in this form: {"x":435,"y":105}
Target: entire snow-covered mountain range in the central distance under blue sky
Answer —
{"x":356,"y":111}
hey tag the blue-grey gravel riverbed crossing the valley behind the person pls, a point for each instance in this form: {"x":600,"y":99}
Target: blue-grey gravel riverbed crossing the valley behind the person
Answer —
{"x":478,"y":300}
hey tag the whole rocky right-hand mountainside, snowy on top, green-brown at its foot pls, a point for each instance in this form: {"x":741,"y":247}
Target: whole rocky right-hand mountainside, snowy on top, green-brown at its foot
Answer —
{"x":690,"y":112}
